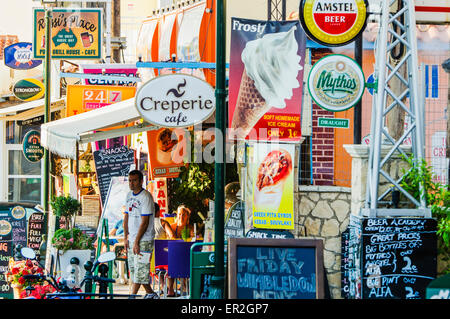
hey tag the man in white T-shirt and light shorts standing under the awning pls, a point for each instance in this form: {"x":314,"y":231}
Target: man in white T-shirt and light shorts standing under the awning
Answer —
{"x":139,"y":233}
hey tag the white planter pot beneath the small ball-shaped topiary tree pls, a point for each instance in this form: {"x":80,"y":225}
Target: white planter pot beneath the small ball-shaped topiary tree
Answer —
{"x":63,"y":264}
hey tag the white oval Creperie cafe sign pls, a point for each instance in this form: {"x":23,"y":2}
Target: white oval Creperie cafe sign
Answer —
{"x":175,"y":100}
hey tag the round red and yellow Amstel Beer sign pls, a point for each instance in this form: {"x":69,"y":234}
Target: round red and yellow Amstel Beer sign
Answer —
{"x":333,"y":22}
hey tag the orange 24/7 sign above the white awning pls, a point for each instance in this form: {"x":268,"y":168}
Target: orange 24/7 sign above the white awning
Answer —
{"x":83,"y":98}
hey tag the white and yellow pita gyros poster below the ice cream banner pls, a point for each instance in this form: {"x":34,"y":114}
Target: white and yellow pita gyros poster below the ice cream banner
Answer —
{"x":273,"y":186}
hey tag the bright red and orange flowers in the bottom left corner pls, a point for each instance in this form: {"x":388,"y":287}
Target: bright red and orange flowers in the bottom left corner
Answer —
{"x":16,"y":271}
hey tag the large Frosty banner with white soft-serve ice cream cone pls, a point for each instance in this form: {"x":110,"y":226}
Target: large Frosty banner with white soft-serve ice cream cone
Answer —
{"x":266,"y":80}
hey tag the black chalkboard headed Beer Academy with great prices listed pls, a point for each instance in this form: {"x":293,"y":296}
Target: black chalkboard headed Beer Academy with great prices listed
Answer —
{"x":399,"y":257}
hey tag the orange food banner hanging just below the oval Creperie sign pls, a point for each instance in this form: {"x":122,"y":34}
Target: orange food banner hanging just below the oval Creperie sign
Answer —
{"x":166,"y":151}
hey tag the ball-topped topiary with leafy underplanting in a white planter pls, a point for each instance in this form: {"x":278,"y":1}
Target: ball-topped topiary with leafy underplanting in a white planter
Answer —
{"x":70,"y":242}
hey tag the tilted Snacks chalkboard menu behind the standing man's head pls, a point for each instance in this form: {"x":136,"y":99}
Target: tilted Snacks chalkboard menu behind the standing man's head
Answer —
{"x":111,"y":162}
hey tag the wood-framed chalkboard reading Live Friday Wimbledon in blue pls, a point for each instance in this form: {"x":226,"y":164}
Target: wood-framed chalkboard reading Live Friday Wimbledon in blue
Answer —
{"x":275,"y":268}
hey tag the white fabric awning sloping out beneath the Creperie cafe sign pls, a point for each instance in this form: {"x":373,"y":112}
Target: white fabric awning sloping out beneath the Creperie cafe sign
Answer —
{"x":61,"y":136}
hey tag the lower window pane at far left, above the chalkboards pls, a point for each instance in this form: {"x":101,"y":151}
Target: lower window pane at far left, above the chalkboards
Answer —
{"x":24,"y":190}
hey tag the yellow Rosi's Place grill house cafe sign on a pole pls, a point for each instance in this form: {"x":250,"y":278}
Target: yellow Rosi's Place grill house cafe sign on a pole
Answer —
{"x":75,"y":34}
